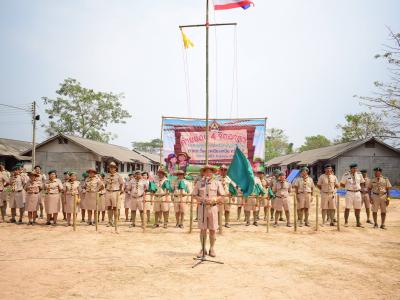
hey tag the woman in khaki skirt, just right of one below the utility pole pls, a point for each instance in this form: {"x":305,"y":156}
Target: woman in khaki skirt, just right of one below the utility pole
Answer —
{"x":53,"y":188}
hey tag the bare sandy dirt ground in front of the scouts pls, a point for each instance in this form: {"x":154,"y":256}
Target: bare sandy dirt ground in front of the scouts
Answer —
{"x":45,"y":262}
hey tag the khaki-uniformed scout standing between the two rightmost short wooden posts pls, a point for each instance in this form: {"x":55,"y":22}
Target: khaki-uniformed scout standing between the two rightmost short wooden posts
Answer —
{"x":328,"y":183}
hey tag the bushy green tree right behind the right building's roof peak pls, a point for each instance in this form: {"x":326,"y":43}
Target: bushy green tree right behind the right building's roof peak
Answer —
{"x":361,"y":126}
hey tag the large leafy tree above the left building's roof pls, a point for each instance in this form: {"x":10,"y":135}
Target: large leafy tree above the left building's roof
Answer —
{"x":84,"y":112}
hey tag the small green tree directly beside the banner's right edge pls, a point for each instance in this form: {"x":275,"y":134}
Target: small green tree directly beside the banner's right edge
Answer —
{"x":276,"y":144}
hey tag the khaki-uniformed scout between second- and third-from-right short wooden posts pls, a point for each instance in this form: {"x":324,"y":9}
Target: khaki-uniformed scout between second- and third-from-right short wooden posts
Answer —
{"x":304,"y":187}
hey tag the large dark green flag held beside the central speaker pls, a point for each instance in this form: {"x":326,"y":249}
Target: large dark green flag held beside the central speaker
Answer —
{"x":241,"y":173}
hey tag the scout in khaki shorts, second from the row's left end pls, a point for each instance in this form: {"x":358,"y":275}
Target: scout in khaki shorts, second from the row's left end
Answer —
{"x":17,"y":182}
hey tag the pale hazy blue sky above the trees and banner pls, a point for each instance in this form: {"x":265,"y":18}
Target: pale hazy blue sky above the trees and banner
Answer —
{"x":299,"y":62}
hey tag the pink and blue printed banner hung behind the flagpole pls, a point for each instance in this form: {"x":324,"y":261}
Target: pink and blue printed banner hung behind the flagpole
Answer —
{"x":184,"y":142}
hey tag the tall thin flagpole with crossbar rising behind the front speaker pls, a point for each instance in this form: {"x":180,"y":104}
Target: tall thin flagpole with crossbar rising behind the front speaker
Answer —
{"x":207,"y":26}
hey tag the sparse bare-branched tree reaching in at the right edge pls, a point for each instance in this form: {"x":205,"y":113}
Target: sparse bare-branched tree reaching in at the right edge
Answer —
{"x":386,"y":99}
